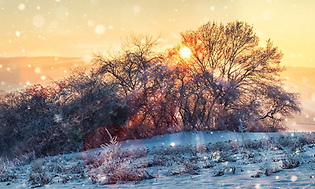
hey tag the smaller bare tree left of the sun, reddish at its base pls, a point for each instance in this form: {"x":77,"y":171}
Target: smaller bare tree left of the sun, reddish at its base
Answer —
{"x":138,"y":74}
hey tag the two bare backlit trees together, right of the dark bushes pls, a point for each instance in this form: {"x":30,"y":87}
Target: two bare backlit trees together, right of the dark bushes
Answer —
{"x":226,"y":81}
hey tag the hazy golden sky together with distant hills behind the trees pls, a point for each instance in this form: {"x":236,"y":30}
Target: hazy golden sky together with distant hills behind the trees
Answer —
{"x":42,"y":40}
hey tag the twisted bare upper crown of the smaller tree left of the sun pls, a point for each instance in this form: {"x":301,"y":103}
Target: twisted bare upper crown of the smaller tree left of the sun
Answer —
{"x":126,"y":67}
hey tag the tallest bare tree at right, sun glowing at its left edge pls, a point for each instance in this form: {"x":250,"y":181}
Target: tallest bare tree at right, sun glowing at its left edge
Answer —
{"x":228,"y":80}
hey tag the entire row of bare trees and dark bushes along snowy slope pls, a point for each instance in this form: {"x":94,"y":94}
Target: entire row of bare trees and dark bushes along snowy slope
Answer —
{"x":228,"y":82}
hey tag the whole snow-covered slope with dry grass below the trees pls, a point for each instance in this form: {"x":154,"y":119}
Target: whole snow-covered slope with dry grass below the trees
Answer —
{"x":183,"y":160}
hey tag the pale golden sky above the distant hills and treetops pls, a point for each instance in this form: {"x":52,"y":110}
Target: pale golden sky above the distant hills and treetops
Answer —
{"x":76,"y":28}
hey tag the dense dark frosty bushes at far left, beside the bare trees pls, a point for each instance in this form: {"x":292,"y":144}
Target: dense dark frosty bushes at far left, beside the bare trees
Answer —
{"x":58,"y":118}
